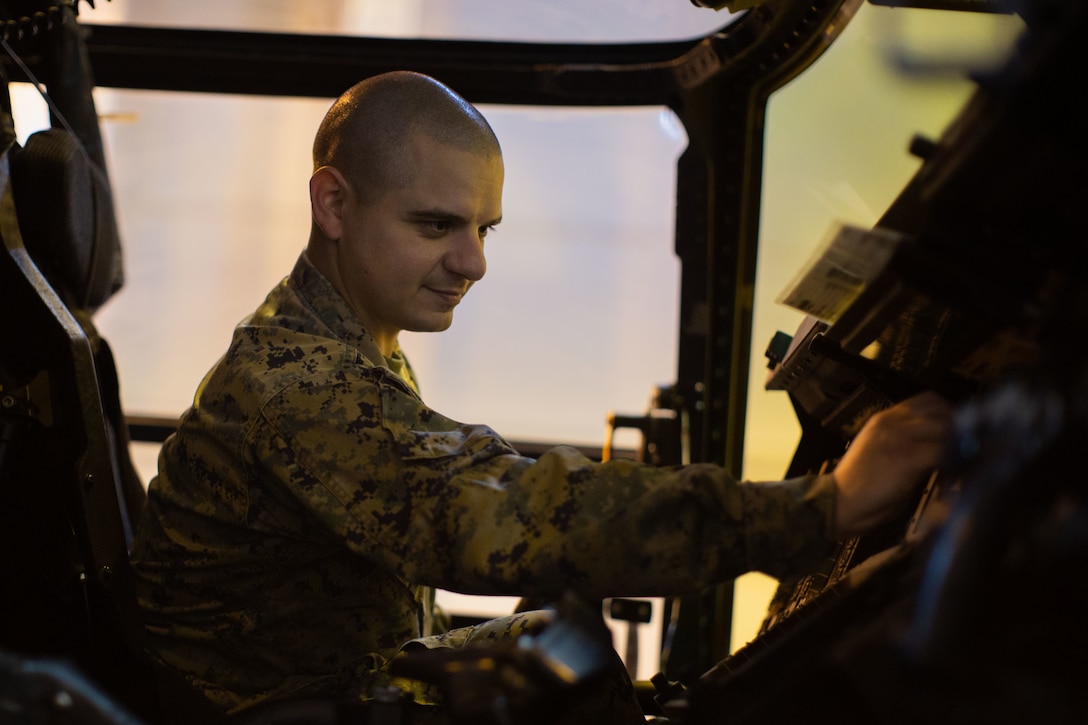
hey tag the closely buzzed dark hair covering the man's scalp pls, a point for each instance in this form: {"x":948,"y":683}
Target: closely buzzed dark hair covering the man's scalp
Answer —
{"x":366,"y":132}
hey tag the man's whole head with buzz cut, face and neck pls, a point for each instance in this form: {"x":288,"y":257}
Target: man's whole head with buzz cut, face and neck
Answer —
{"x":407,"y":183}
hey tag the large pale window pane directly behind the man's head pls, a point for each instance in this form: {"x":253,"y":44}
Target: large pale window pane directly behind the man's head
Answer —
{"x":212,"y":193}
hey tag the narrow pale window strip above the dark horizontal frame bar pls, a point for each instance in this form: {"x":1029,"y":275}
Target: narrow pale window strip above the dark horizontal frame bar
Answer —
{"x":537,"y":21}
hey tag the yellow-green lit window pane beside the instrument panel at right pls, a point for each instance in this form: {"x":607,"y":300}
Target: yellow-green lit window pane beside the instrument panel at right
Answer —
{"x":837,"y":142}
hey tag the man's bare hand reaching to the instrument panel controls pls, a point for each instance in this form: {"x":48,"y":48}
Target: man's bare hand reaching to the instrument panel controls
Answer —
{"x":887,"y":461}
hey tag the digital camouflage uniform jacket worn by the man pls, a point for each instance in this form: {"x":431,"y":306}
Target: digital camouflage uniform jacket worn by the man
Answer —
{"x":311,"y":501}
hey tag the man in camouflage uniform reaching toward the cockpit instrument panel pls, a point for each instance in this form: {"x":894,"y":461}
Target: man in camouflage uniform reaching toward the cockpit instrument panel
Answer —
{"x":311,"y":501}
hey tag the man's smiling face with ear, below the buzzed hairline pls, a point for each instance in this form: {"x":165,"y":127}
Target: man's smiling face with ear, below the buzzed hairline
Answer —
{"x":409,"y":256}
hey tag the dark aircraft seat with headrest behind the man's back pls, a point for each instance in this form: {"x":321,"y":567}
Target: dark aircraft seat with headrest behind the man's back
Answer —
{"x":69,"y":493}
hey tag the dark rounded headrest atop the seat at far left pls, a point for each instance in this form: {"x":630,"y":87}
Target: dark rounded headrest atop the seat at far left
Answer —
{"x":66,"y":214}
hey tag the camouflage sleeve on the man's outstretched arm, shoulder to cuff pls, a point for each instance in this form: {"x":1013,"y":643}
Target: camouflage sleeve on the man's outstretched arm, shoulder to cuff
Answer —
{"x":454,"y":507}
